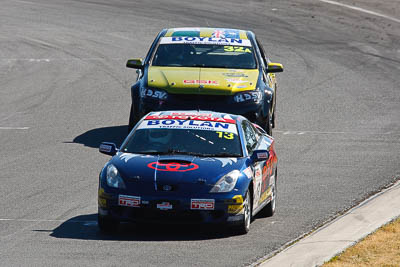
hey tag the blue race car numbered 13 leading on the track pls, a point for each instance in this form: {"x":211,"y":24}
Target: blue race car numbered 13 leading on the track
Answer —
{"x":189,"y":167}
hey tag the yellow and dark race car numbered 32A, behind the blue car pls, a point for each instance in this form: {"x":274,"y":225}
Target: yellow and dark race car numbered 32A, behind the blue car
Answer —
{"x":223,"y":70}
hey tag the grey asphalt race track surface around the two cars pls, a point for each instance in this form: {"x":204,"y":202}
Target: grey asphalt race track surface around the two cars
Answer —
{"x":64,"y":89}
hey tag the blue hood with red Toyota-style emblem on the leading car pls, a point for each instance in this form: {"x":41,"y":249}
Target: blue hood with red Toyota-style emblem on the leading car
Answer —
{"x":174,"y":169}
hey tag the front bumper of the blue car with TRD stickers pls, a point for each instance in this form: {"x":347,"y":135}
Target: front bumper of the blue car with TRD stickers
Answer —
{"x":172,"y":209}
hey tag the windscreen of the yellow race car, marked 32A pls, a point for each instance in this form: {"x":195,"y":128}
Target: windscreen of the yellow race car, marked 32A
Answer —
{"x":192,"y":54}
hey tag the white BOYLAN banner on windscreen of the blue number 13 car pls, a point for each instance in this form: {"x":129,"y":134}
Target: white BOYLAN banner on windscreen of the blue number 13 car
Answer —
{"x":189,"y":124}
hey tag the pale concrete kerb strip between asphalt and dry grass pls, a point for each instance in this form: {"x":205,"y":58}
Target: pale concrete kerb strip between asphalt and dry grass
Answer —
{"x":334,"y":237}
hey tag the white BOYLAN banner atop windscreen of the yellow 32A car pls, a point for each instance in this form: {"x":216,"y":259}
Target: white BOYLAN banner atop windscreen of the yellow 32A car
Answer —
{"x":205,"y":40}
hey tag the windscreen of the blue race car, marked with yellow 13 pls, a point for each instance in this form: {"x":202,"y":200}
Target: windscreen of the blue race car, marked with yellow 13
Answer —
{"x":190,"y":137}
